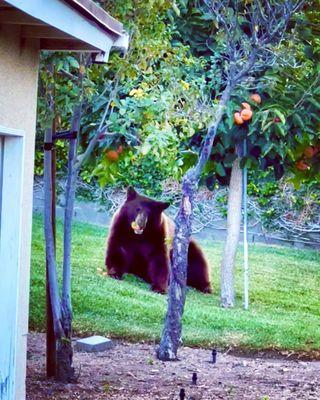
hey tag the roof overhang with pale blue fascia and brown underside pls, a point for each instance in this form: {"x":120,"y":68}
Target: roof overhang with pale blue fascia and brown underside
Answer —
{"x":69,"y":25}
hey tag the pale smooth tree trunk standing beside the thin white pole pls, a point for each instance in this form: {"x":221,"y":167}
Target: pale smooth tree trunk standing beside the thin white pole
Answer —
{"x":232,"y":239}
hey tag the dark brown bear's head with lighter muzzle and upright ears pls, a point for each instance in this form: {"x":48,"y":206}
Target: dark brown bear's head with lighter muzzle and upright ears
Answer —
{"x":142,"y":213}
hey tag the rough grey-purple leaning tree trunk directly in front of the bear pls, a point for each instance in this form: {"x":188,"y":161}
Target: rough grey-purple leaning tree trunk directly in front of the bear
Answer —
{"x":171,"y":335}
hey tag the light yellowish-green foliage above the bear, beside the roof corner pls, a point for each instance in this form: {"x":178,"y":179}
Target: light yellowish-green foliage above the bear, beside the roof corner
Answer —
{"x":154,"y":90}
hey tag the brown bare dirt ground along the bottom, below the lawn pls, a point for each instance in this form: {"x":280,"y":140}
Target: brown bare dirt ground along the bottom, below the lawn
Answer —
{"x":131,"y":371}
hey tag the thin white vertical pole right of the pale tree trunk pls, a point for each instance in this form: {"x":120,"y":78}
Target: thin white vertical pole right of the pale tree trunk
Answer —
{"x":245,"y":233}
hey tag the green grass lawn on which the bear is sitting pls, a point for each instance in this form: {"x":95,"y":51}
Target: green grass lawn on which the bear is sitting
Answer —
{"x":284,"y":298}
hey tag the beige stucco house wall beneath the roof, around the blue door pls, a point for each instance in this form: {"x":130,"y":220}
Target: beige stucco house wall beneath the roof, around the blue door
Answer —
{"x":18,"y":100}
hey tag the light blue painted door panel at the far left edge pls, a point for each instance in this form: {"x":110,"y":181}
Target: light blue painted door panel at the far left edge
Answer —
{"x":11,"y":169}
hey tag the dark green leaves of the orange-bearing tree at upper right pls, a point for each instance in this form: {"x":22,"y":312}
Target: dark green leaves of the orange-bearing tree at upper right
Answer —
{"x":271,"y":134}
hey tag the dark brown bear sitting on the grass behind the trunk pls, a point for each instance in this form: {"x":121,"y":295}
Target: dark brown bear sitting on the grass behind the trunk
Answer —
{"x":139,"y":243}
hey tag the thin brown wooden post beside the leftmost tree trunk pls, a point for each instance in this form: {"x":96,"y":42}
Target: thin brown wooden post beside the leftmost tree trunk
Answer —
{"x":51,"y":340}
